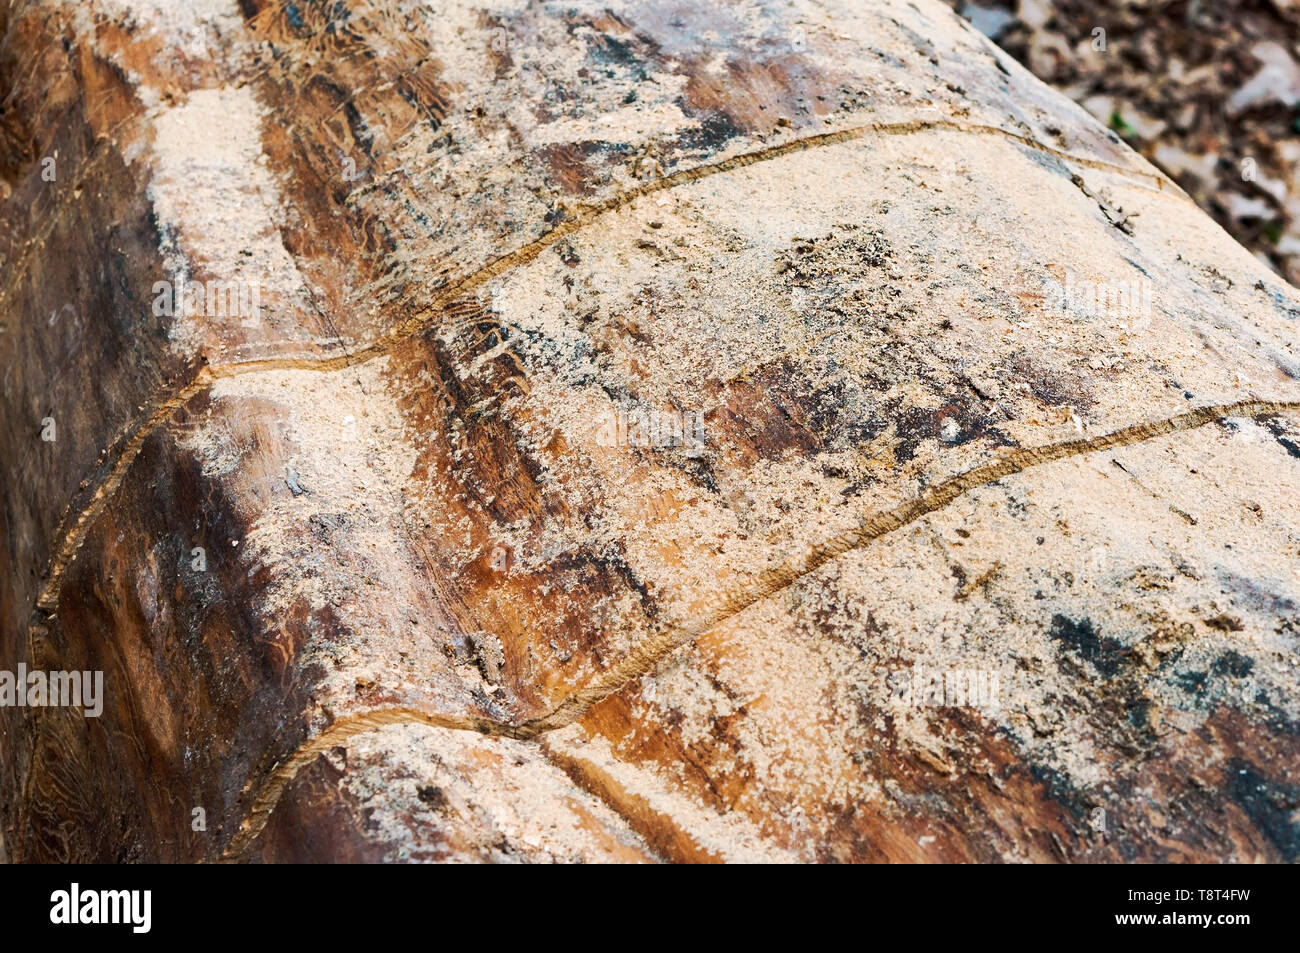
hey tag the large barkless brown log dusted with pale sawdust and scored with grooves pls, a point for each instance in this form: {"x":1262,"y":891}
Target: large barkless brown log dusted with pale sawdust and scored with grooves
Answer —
{"x":443,"y":617}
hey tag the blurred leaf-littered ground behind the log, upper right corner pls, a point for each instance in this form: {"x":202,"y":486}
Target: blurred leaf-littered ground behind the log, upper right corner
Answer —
{"x":1208,"y":90}
